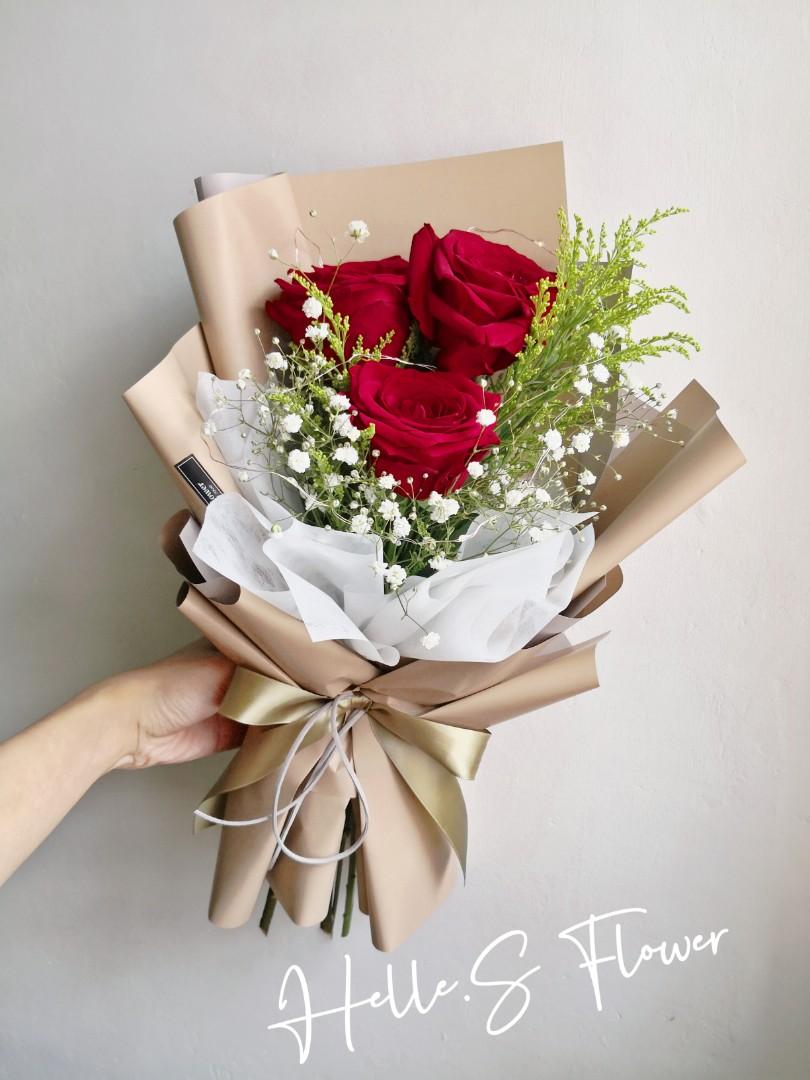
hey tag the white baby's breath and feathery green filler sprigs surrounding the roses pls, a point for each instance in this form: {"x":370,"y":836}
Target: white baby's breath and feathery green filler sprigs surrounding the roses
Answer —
{"x":566,"y":408}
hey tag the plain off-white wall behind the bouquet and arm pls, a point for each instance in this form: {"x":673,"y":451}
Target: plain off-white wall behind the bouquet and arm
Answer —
{"x":678,"y":787}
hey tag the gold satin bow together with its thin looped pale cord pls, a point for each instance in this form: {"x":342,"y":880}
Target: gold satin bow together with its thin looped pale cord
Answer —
{"x":429,"y":757}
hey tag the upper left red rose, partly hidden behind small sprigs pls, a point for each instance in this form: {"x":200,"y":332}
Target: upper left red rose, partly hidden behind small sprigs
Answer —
{"x":372,"y":294}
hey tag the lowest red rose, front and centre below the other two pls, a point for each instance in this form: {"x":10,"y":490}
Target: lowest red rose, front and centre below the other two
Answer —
{"x":425,"y":424}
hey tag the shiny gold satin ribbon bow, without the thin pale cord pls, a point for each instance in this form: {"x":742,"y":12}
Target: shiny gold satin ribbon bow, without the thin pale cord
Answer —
{"x":429,"y":757}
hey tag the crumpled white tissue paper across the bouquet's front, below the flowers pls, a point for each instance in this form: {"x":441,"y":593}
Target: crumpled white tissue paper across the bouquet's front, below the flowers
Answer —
{"x":484,"y":609}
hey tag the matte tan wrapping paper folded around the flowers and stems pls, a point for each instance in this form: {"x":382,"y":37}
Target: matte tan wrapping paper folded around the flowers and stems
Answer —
{"x":407,"y":866}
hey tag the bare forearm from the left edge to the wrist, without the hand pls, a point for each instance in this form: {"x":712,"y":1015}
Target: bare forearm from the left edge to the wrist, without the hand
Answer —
{"x":46,"y":769}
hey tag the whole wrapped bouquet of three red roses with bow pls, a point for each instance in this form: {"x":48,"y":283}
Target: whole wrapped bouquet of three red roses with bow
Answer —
{"x":413,"y":456}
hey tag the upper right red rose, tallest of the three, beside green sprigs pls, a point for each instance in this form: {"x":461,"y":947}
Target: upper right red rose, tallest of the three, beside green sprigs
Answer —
{"x":472,"y":298}
